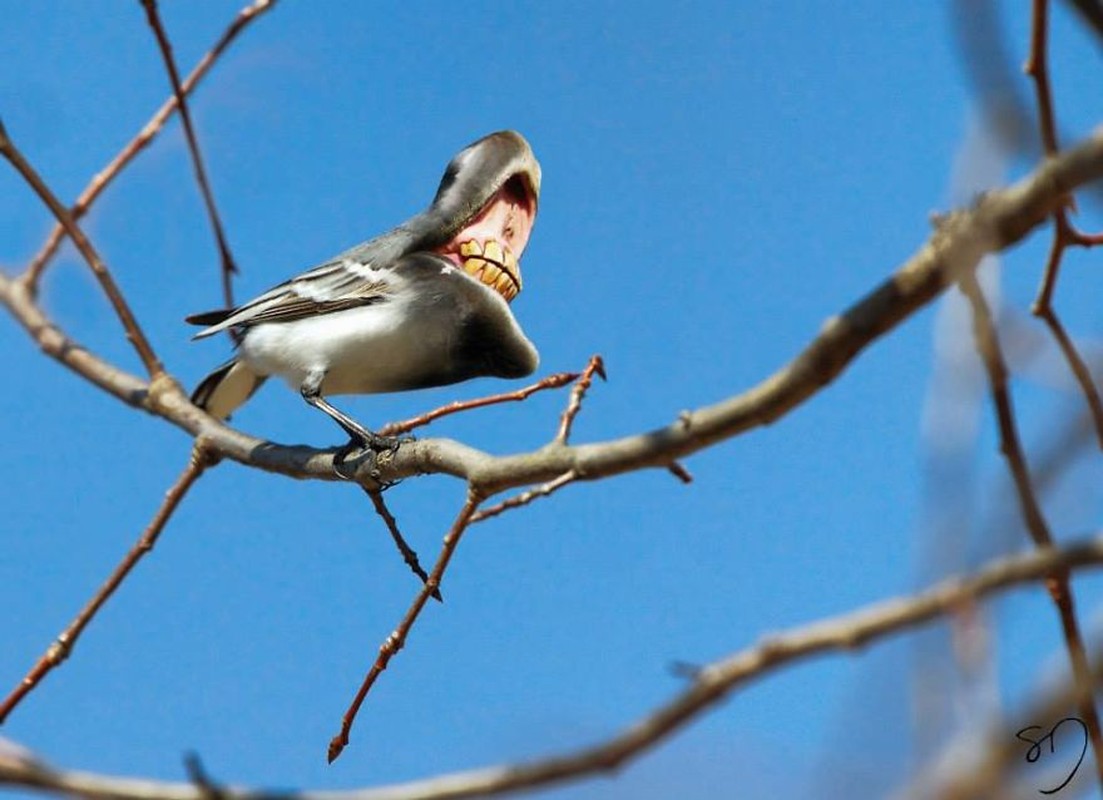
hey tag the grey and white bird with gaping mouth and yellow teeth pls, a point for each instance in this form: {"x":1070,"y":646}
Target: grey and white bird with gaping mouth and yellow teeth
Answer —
{"x":424,"y":305}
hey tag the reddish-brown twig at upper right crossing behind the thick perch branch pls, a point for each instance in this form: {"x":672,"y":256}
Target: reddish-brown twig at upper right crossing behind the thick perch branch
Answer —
{"x":1065,"y":233}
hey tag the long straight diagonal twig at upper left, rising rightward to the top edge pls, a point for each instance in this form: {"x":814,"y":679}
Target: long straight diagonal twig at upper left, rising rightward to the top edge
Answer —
{"x":104,"y":178}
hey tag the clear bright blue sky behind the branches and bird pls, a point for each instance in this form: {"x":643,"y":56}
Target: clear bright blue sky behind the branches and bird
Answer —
{"x":719,"y":179}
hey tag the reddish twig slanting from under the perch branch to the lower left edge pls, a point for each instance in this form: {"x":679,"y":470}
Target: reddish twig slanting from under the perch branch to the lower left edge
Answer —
{"x":63,"y":646}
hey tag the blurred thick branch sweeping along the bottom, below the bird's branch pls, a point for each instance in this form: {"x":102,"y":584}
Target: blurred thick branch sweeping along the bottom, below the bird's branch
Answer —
{"x":712,"y":685}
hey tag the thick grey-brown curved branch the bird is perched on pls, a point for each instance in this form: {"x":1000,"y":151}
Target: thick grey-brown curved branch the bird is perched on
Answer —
{"x":999,"y":220}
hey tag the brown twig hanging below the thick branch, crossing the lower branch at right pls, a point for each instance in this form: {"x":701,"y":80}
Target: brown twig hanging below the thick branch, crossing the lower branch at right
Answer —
{"x":988,"y":345}
